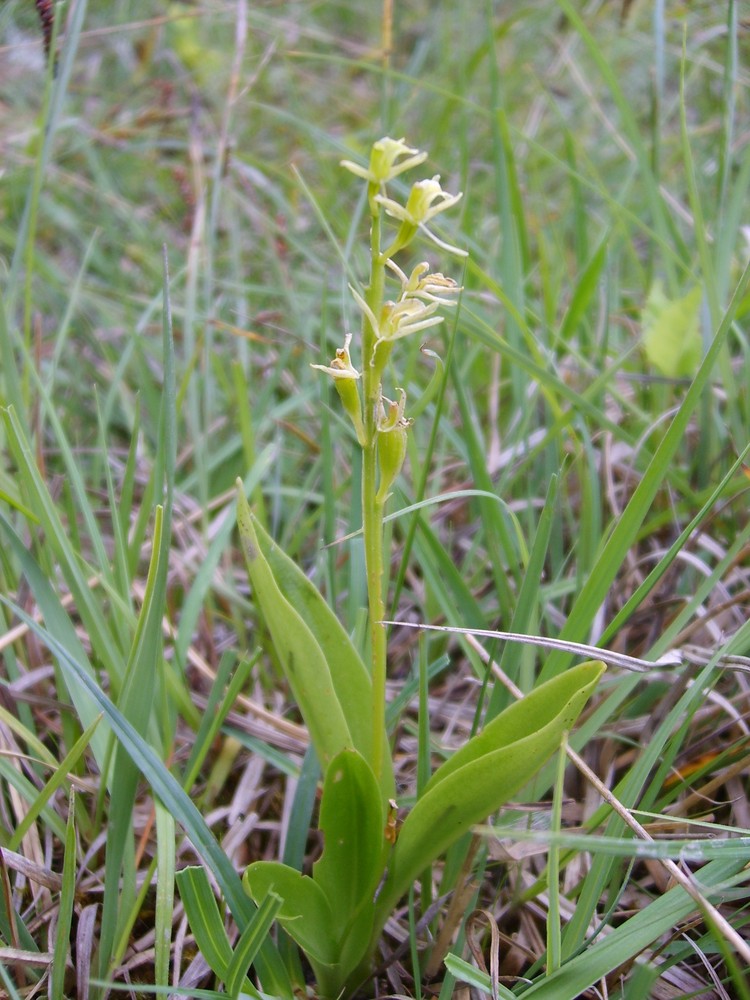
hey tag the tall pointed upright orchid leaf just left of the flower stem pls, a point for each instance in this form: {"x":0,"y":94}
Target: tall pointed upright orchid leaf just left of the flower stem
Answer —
{"x":349,"y":675}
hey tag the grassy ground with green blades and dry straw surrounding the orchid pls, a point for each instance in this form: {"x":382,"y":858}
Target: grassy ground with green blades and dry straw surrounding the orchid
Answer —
{"x":581,"y":486}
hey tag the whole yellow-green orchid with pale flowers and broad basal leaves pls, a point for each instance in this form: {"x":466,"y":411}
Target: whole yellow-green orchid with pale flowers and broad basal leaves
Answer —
{"x":368,"y":864}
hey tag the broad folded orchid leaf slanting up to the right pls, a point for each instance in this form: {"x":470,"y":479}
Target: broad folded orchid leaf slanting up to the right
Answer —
{"x":487,"y":772}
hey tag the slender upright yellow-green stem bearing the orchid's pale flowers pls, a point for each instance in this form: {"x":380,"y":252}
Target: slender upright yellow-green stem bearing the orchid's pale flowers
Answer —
{"x":372,"y":510}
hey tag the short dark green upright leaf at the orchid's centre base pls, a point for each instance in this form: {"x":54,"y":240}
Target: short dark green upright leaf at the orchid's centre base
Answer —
{"x":352,"y":819}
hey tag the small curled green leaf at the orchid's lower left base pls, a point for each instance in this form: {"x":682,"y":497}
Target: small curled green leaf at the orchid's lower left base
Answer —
{"x":305,"y":913}
